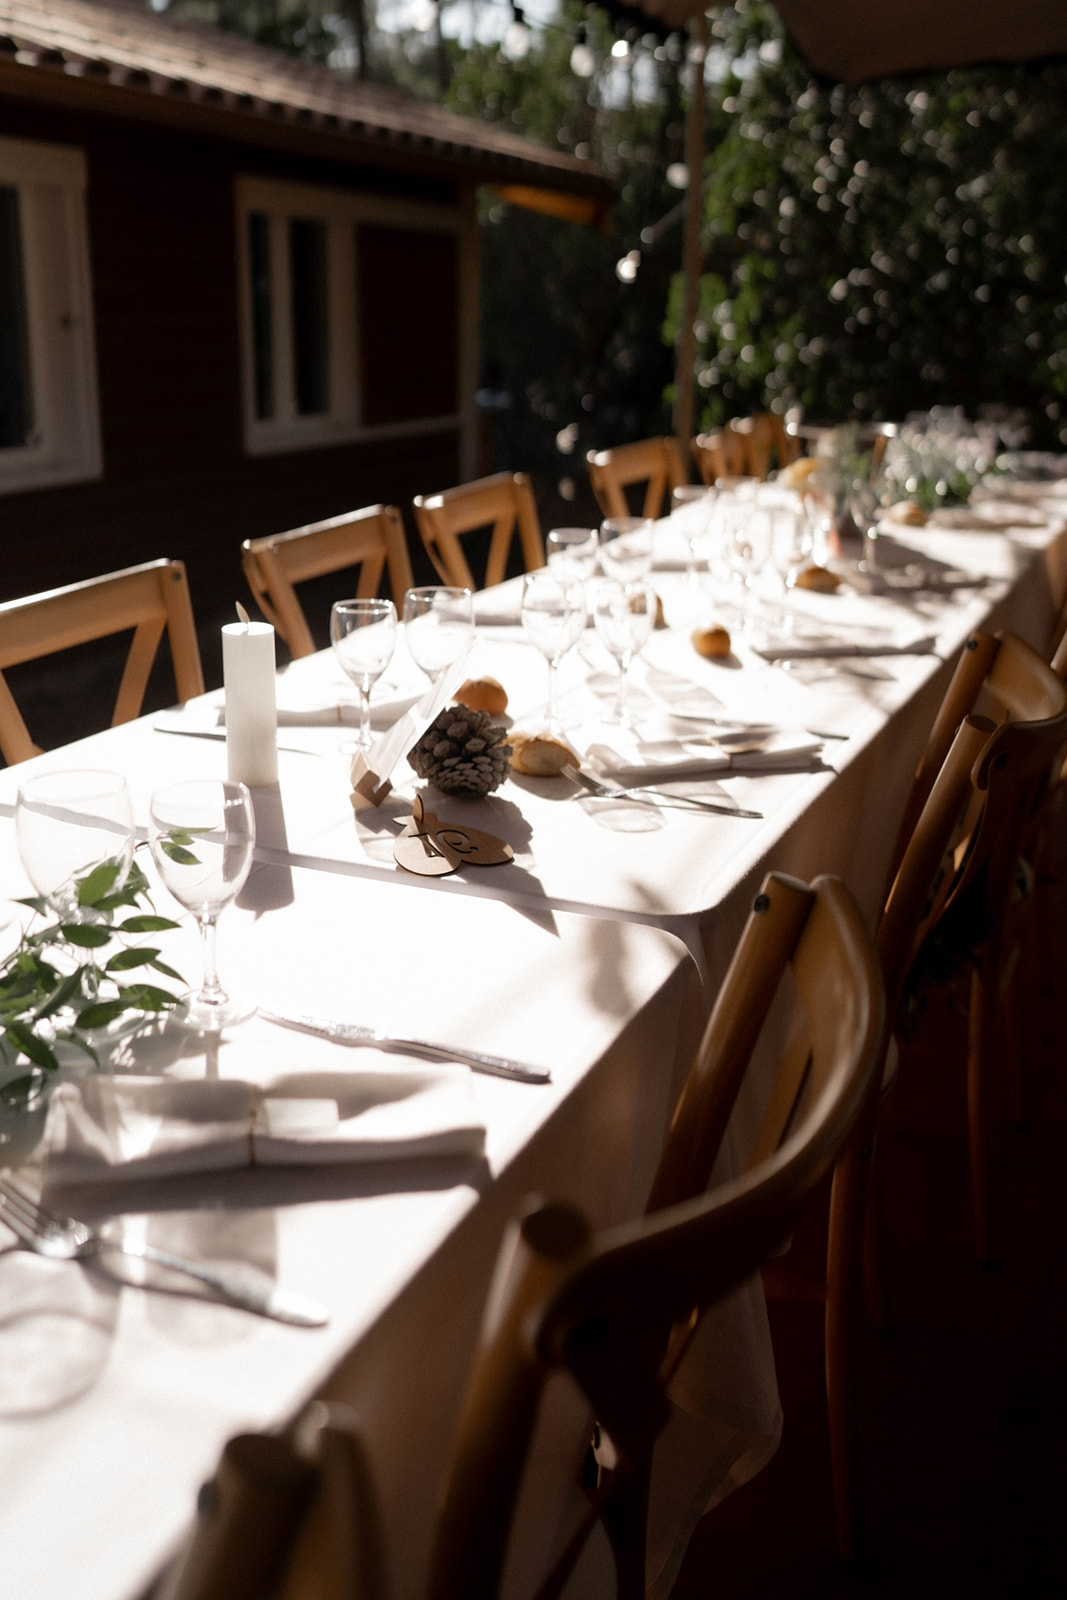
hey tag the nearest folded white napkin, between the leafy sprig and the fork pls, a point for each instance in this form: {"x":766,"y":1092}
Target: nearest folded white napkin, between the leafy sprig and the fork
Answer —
{"x":103,"y":1130}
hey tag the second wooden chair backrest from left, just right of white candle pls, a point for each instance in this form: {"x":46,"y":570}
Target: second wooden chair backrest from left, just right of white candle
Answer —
{"x":372,"y":540}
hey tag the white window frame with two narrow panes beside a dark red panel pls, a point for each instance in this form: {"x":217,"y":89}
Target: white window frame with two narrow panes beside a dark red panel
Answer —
{"x":340,"y":210}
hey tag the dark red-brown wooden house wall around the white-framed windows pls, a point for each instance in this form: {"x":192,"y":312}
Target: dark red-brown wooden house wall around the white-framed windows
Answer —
{"x":177,"y":476}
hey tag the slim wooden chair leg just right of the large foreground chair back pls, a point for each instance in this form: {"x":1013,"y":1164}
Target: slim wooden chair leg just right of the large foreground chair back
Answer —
{"x":842,"y":1303}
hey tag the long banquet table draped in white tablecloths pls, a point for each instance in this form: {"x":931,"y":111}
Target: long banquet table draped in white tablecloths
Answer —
{"x":583,"y":956}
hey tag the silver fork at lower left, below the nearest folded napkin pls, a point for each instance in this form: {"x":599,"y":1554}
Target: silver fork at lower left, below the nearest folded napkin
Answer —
{"x":65,"y":1239}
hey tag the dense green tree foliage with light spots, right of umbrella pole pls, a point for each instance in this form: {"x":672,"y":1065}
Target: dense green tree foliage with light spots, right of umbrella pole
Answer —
{"x":877,"y":250}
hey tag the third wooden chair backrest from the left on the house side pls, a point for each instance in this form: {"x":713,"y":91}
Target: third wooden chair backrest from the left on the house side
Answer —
{"x":503,"y":503}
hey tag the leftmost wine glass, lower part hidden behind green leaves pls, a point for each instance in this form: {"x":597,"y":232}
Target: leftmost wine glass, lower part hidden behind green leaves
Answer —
{"x":68,"y":825}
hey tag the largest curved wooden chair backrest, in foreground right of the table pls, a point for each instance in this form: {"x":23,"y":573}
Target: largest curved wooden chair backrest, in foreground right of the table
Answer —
{"x":607,"y":1306}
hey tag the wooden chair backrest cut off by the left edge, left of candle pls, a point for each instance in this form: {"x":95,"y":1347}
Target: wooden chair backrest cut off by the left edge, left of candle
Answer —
{"x":148,"y":599}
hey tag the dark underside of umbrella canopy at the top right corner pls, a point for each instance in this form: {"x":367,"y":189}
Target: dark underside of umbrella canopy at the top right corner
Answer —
{"x":857,"y":41}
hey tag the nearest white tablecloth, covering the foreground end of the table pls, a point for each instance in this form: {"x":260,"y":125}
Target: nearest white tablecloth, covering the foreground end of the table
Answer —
{"x":110,"y":1430}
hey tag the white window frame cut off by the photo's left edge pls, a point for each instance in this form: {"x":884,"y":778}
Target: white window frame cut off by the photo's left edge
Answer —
{"x":66,"y":442}
